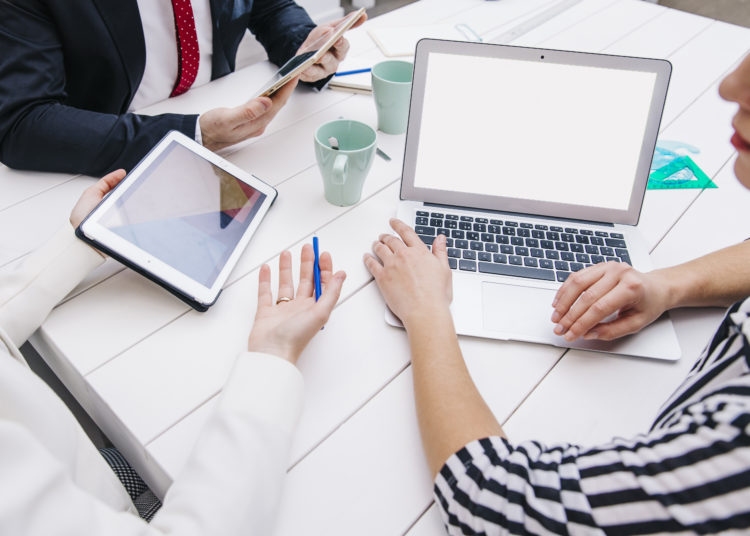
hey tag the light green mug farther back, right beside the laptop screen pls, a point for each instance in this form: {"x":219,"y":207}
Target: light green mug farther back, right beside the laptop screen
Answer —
{"x":391,"y":87}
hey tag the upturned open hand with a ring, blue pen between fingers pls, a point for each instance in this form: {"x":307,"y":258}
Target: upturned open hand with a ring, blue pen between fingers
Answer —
{"x":285,"y":327}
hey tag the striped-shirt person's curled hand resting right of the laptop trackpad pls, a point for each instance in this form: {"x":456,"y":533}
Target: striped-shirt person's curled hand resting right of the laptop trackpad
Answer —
{"x":590,"y":296}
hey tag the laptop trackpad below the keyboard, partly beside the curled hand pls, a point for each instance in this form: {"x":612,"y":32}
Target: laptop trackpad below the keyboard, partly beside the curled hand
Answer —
{"x":518,"y":310}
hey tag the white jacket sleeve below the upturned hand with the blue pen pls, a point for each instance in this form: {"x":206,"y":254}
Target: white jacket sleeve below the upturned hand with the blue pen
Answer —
{"x":232,"y":481}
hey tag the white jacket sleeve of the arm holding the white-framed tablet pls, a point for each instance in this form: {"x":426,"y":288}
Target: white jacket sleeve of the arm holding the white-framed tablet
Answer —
{"x":30,"y":291}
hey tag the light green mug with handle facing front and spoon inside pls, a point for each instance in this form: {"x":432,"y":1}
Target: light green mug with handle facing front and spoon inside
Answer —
{"x":344,"y":169}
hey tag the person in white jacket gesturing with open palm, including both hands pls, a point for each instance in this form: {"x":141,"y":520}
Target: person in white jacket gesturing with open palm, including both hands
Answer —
{"x":53,"y":480}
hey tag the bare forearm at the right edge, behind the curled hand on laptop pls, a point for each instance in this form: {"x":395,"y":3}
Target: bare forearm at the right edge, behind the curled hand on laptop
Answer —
{"x":717,"y":279}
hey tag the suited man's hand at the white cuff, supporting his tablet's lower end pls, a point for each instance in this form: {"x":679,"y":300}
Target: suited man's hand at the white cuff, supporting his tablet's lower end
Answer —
{"x":222,"y":127}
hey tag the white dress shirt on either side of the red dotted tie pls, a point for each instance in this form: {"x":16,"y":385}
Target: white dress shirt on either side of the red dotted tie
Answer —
{"x":160,"y":74}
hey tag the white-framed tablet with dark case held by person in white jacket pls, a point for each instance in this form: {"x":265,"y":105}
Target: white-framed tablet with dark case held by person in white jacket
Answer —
{"x":182,"y":218}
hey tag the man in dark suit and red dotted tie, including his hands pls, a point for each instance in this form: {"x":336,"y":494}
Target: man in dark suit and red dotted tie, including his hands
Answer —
{"x":72,"y":73}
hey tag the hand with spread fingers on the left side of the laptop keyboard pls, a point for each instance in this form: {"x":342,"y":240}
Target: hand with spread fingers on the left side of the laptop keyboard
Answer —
{"x":415,"y":282}
